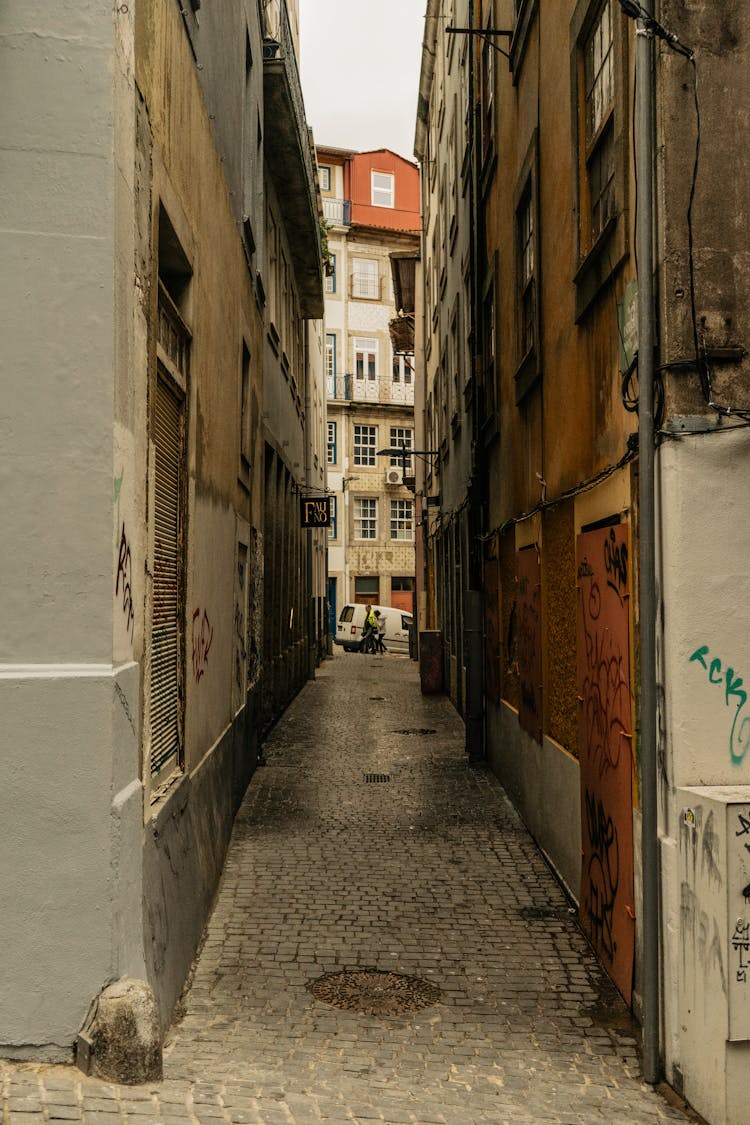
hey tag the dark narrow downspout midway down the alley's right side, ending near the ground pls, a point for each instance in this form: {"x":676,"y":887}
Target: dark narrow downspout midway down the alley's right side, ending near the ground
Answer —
{"x":474,"y":617}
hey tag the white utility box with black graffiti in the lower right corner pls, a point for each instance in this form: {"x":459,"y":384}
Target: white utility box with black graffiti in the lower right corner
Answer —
{"x":715,"y":934}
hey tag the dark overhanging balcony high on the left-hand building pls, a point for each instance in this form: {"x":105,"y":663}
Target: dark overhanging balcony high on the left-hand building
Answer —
{"x":290,"y":157}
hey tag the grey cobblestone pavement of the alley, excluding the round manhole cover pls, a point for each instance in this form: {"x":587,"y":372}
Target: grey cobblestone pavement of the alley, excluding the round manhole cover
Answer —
{"x":429,"y":874}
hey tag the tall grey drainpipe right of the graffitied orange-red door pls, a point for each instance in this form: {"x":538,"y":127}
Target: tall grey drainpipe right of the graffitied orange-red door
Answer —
{"x":647,"y":534}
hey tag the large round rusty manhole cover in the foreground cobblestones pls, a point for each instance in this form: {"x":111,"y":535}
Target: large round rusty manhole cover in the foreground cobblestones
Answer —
{"x":375,"y":993}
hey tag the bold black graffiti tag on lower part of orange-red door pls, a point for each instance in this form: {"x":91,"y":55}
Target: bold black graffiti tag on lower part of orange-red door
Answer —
{"x":603,"y":875}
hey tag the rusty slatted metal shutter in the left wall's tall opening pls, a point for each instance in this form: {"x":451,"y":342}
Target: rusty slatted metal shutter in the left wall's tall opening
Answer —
{"x":166,"y":638}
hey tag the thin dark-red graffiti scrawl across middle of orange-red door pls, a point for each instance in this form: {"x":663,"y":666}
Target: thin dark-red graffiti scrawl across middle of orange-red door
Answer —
{"x":606,"y":694}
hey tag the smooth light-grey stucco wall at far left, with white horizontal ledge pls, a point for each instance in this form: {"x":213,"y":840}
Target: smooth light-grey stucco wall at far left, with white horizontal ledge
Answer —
{"x":71,"y":794}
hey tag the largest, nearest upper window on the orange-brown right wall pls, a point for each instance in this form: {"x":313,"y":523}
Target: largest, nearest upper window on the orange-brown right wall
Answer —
{"x":600,"y":70}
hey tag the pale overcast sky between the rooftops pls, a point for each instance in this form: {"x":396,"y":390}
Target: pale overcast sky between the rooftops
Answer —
{"x":360,"y":71}
